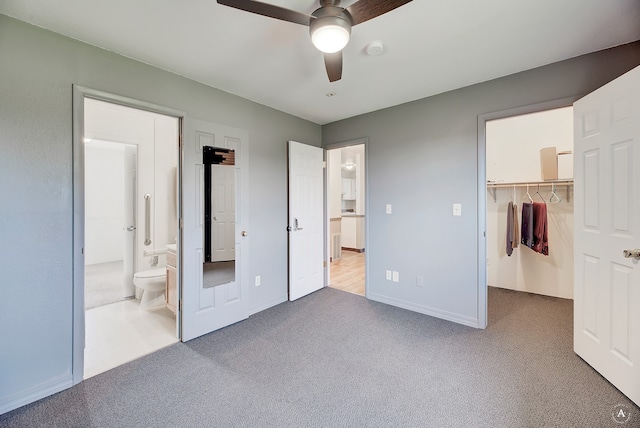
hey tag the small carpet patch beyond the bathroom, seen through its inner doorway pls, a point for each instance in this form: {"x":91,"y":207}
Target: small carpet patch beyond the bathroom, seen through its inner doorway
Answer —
{"x":103,"y":284}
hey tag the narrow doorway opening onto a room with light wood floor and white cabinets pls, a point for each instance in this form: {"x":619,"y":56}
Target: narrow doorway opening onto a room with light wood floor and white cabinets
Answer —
{"x":346,"y":211}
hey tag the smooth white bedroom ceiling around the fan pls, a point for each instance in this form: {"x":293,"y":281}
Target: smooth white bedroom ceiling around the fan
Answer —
{"x":432,"y":46}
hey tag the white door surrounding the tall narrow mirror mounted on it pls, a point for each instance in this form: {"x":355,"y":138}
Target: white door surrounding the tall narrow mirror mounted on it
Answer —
{"x":207,"y":309}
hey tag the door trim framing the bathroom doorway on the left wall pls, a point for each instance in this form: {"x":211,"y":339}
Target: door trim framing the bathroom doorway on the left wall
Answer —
{"x":79,"y":94}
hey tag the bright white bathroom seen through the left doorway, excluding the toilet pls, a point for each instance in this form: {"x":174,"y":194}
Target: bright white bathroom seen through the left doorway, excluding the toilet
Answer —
{"x":130,"y":223}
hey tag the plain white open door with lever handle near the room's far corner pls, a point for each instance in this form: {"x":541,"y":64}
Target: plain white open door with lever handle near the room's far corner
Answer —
{"x":306,"y":193}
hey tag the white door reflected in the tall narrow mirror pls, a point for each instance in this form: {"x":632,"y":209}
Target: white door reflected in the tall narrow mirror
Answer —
{"x":224,"y":214}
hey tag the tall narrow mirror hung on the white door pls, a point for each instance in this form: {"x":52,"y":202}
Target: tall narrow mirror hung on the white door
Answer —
{"x":219,"y":216}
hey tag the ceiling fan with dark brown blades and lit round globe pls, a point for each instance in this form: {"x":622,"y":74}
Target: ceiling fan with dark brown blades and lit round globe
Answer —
{"x":329,"y":26}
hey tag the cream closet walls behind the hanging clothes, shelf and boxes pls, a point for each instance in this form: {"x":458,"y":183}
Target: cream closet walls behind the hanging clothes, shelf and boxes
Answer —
{"x":513,"y":155}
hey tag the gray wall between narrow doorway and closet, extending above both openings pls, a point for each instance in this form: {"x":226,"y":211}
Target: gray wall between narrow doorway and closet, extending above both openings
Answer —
{"x":423,"y":157}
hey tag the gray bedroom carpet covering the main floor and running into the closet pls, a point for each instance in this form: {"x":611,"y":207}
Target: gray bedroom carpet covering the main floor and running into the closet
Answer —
{"x":334,"y":359}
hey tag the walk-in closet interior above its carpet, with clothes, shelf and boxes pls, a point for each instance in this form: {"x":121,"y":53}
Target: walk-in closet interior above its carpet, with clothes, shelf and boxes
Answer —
{"x":529,"y":160}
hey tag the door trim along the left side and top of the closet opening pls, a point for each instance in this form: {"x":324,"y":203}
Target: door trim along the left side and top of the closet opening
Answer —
{"x":482,"y":189}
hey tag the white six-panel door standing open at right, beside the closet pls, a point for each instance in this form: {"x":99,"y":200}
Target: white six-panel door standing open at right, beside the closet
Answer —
{"x":607,"y":222}
